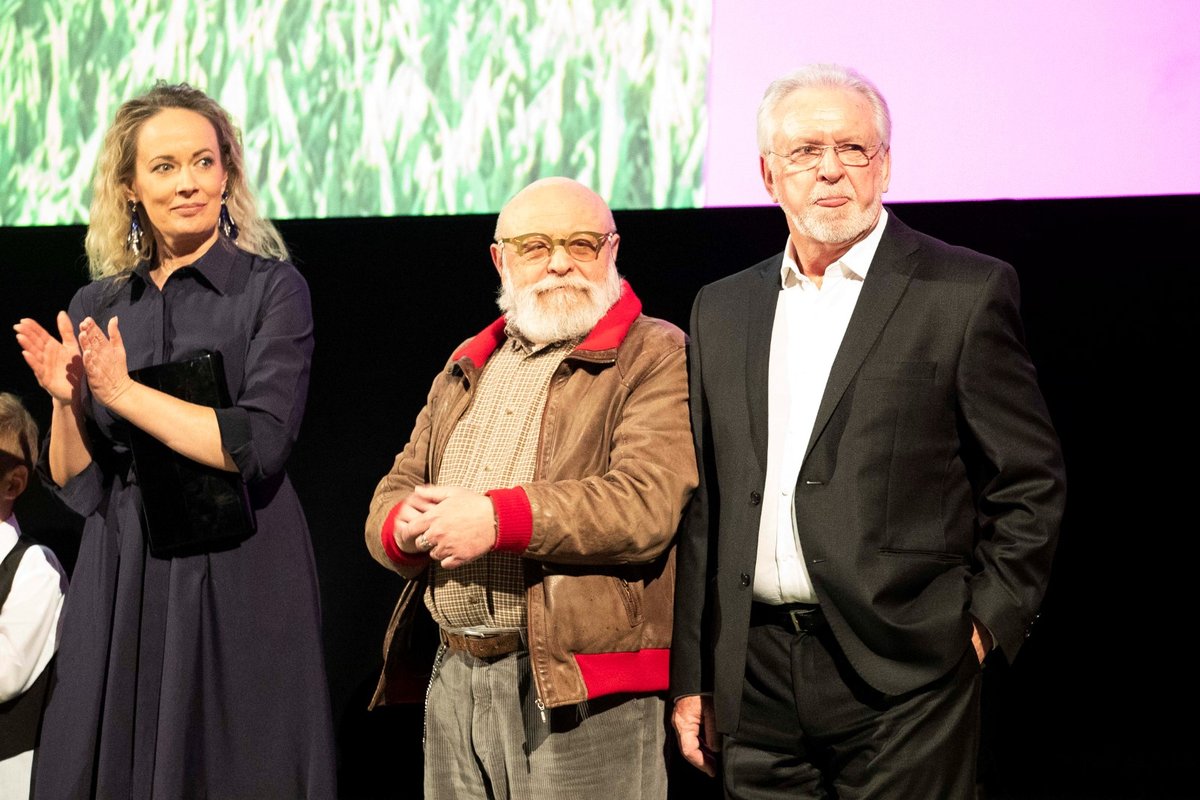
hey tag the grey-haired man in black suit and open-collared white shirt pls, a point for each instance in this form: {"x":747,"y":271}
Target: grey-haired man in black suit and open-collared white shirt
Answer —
{"x":881,"y":488}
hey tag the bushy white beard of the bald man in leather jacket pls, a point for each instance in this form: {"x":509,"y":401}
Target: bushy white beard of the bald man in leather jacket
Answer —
{"x":557,"y":309}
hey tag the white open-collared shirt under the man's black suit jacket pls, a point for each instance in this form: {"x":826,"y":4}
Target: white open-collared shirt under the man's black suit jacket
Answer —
{"x":811,"y":323}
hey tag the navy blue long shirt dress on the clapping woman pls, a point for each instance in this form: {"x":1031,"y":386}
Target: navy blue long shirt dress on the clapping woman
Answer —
{"x":203,"y":676}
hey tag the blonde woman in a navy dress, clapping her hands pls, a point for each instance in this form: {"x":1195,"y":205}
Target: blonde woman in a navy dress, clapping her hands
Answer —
{"x":202,"y":675}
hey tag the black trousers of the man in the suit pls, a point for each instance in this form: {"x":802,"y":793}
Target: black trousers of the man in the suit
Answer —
{"x":812,"y":729}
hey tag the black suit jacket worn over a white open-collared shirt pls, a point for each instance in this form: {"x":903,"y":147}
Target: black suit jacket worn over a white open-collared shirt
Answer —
{"x":933,"y":486}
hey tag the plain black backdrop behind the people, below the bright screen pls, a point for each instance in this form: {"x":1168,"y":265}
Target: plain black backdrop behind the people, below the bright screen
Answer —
{"x":1100,"y":705}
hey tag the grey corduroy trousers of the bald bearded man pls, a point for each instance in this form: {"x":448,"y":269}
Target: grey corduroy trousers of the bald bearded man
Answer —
{"x":487,"y":738}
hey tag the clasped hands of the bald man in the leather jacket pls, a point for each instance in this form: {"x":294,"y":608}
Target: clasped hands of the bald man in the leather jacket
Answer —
{"x":453,"y":525}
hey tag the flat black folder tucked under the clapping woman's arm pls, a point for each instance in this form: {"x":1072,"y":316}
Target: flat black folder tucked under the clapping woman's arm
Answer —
{"x":189,"y":508}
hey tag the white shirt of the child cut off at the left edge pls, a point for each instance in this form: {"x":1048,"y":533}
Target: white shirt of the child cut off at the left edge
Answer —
{"x":29,"y":637}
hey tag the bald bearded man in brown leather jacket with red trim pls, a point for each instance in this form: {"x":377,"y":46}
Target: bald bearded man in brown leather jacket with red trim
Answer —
{"x":537,"y":503}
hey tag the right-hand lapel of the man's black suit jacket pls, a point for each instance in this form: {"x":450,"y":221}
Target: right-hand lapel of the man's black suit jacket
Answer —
{"x":886,"y":282}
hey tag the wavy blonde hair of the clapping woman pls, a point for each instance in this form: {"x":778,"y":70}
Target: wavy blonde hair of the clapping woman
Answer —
{"x":109,"y":254}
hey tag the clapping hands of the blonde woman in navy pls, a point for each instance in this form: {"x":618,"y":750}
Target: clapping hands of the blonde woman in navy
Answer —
{"x":59,"y":365}
